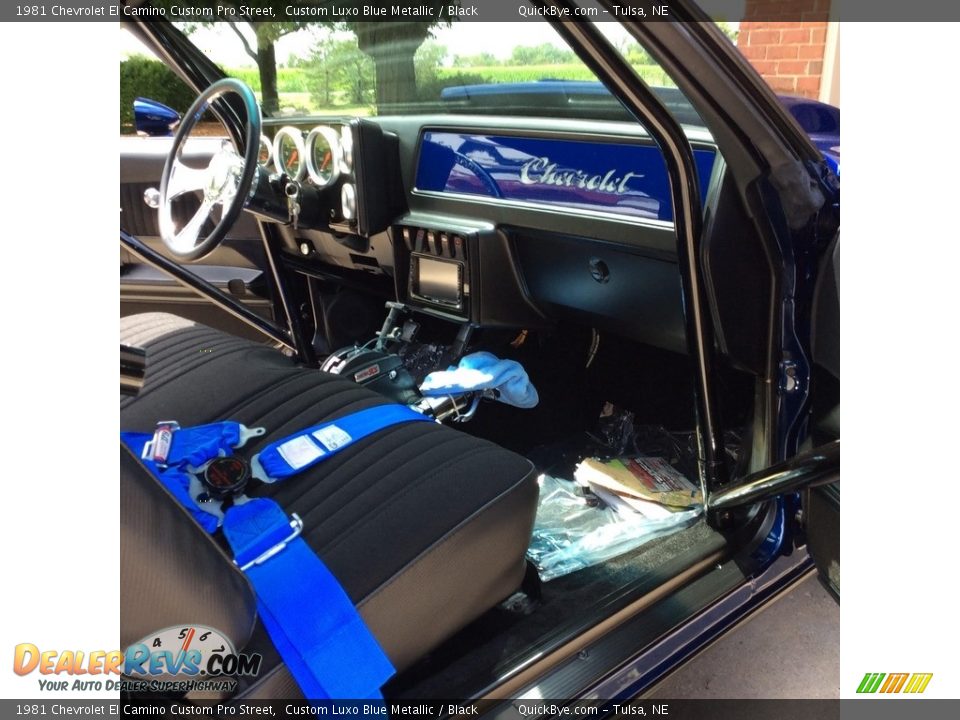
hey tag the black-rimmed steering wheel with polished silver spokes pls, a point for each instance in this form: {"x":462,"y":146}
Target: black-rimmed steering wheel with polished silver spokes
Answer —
{"x":225,"y":182}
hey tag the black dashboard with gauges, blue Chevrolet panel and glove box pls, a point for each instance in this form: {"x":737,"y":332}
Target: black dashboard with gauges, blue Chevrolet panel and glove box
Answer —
{"x":492,"y":222}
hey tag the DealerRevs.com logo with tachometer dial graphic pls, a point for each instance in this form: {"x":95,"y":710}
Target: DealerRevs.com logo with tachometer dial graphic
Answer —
{"x":175,"y":659}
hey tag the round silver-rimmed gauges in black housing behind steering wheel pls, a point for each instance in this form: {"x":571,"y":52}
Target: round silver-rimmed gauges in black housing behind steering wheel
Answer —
{"x":346,"y":174}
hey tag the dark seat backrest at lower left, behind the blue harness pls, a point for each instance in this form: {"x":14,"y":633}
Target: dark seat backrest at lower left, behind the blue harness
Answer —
{"x":171,"y":571}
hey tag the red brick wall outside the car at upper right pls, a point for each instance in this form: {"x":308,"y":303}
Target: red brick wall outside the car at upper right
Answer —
{"x":785,"y":41}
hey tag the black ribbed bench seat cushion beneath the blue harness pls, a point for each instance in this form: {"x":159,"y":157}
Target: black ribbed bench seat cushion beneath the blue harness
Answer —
{"x":424,"y":526}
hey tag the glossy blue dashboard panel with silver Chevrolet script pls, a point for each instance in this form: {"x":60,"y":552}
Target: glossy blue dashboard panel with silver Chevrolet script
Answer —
{"x":611,"y":177}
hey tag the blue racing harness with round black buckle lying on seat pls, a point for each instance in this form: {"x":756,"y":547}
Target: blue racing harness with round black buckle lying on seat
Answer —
{"x":311,"y":620}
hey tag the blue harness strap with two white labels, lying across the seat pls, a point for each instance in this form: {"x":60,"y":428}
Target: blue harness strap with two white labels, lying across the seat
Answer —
{"x":295,"y":453}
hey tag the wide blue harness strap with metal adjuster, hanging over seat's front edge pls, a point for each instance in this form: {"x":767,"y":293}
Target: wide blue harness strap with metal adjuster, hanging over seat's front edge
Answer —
{"x":311,"y":620}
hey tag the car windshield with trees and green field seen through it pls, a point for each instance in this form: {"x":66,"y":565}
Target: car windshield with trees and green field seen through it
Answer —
{"x":322,"y":67}
